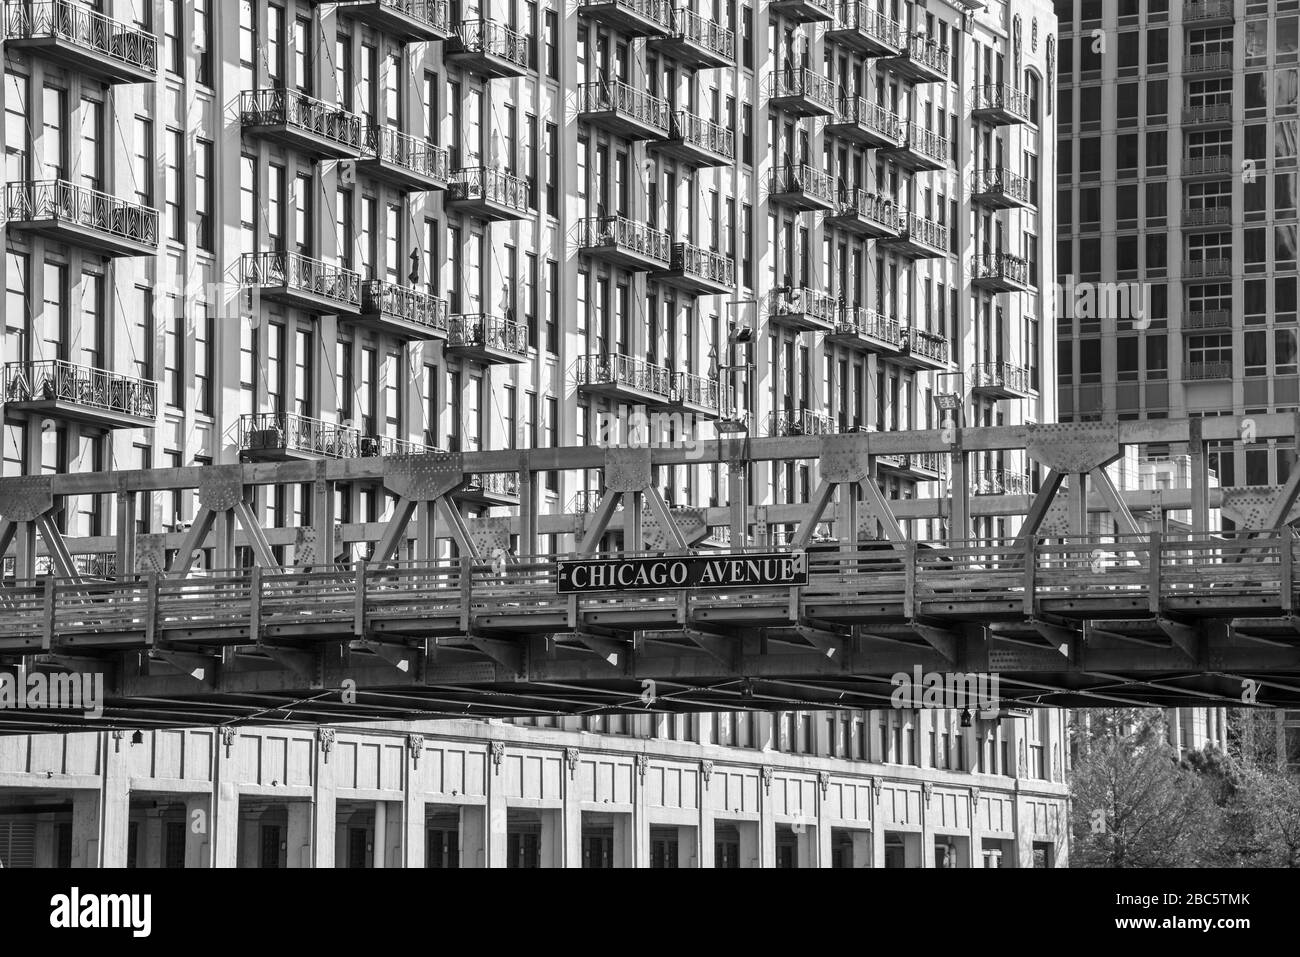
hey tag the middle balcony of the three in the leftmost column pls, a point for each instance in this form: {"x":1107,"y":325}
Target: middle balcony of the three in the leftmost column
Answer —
{"x":83,"y":218}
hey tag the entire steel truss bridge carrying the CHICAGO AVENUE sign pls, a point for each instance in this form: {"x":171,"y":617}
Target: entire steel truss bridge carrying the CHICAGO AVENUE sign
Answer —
{"x":1155,"y":616}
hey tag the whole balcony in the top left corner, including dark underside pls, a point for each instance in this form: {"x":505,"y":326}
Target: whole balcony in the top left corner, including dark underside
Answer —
{"x":83,"y":40}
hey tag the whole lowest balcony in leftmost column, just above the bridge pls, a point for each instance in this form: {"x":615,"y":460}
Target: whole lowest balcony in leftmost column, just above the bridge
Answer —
{"x":66,"y":391}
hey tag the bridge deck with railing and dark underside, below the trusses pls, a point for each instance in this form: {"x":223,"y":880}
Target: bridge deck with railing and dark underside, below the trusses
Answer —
{"x":1141,"y":621}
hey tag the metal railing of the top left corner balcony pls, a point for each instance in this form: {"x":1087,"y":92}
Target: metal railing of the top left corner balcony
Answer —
{"x":84,"y":28}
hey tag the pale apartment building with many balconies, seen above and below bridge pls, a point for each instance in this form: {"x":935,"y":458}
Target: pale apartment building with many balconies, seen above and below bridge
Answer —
{"x":305,"y":231}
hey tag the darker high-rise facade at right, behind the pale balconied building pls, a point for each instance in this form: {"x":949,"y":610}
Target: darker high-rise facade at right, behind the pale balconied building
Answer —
{"x":1177,"y":174}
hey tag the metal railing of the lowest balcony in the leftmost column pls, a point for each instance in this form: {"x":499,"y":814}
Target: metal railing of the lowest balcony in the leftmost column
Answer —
{"x":55,"y":380}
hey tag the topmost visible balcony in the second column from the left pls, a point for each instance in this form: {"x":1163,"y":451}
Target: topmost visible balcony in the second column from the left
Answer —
{"x":302,"y":123}
